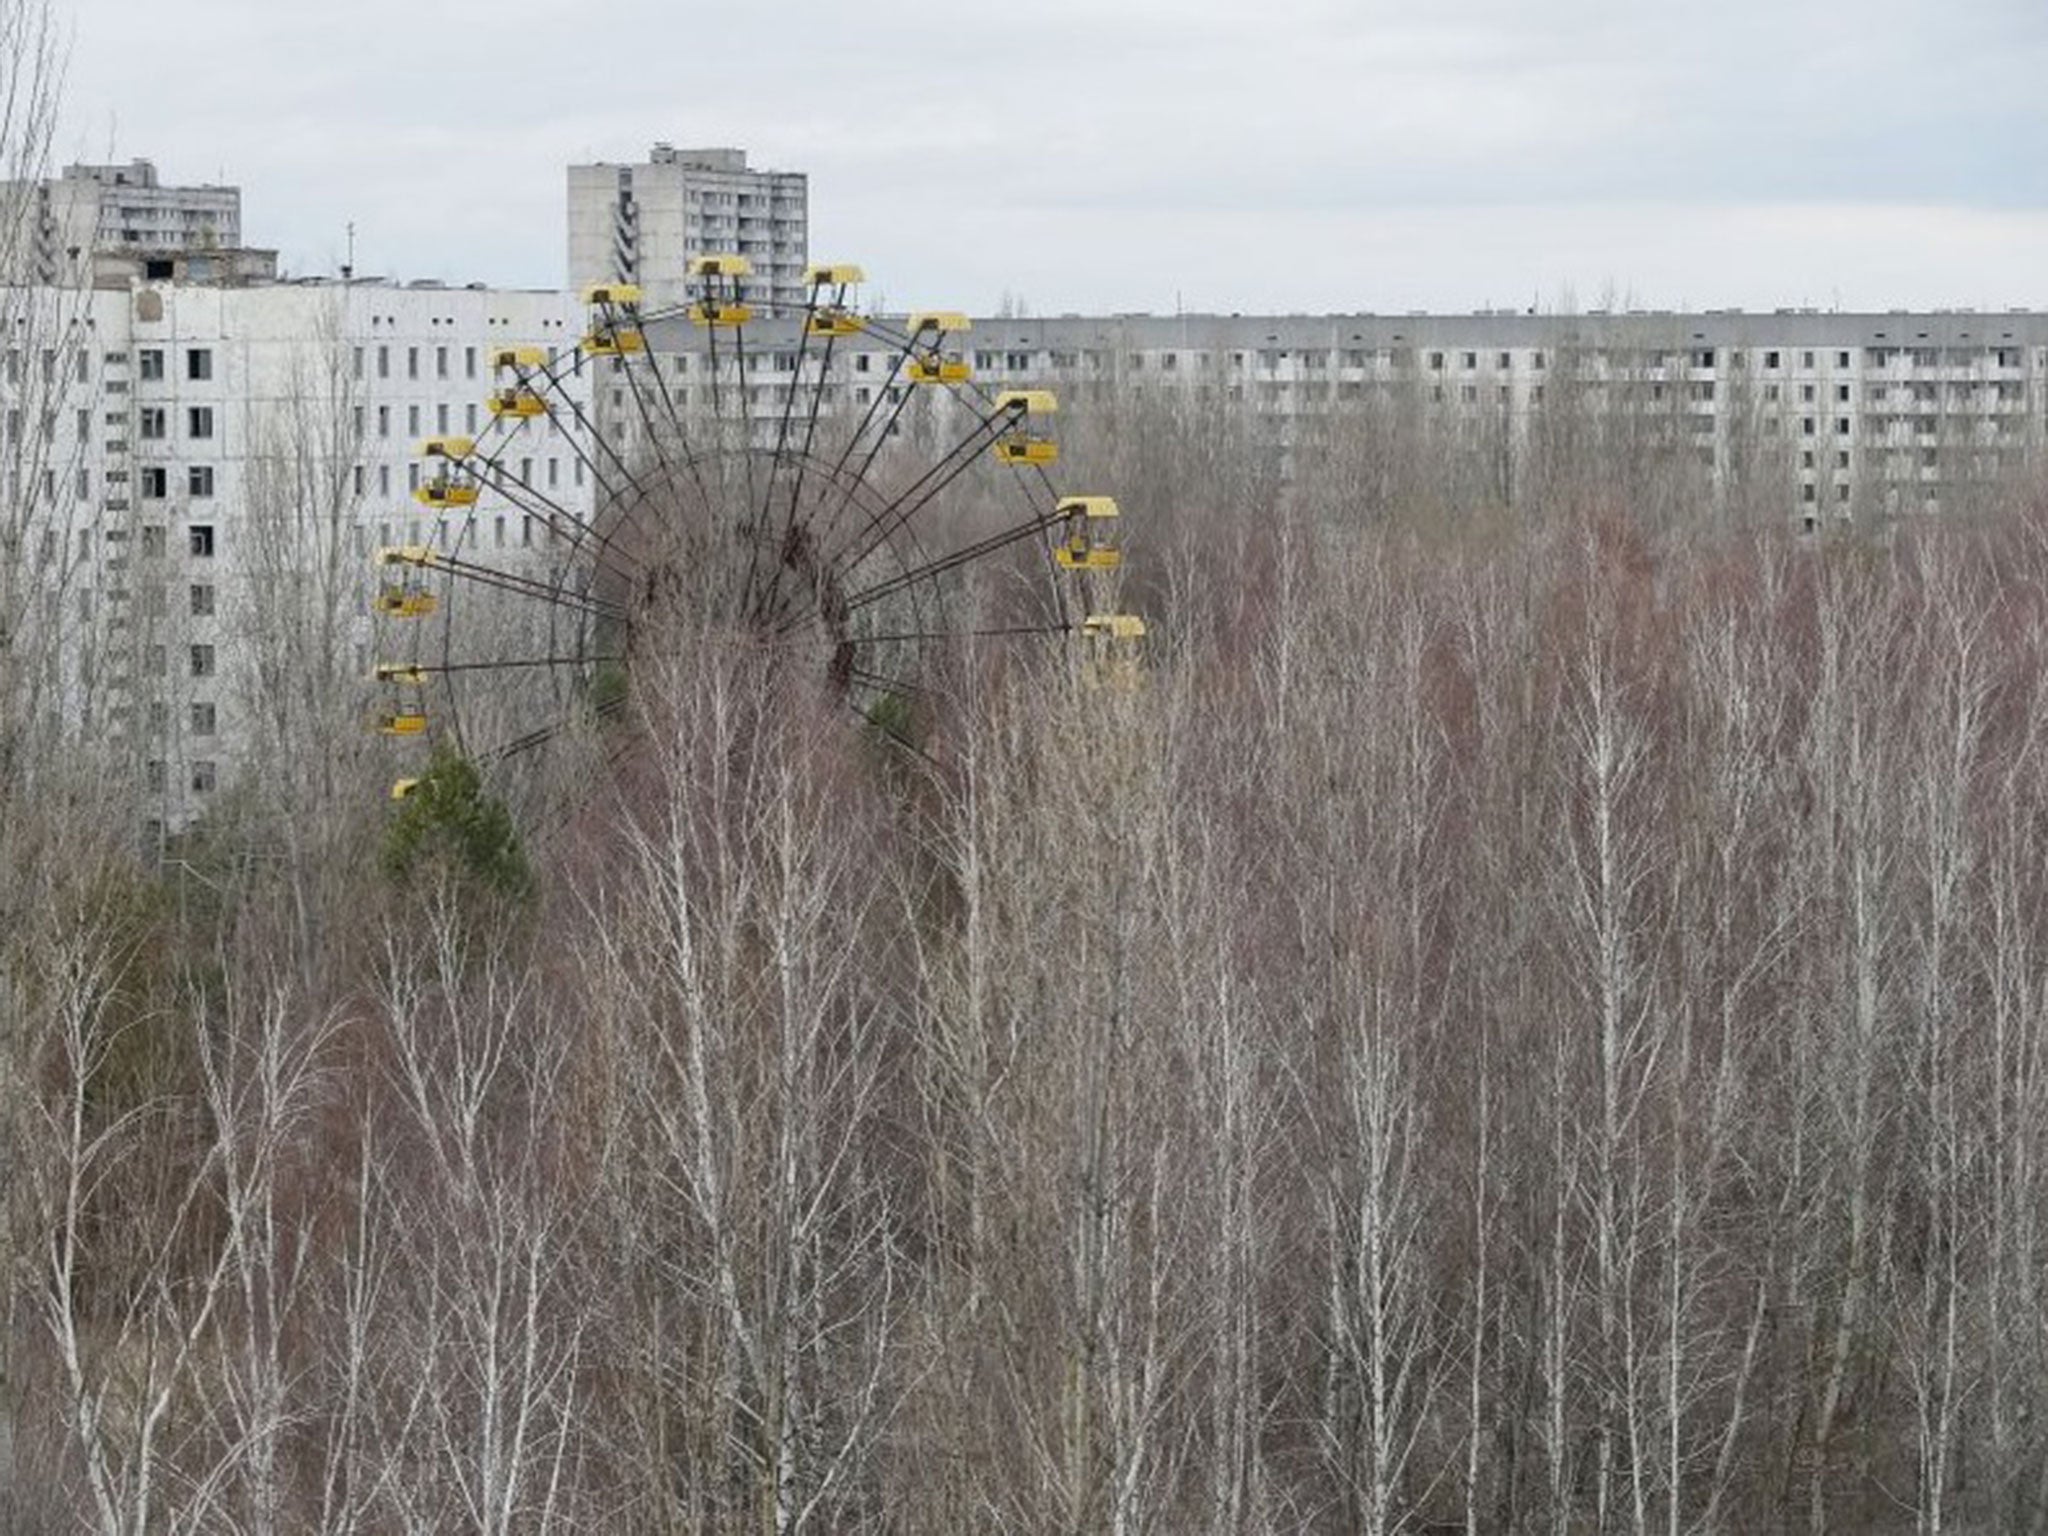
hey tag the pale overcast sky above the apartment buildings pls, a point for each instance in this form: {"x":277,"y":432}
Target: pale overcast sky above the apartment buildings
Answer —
{"x":1142,"y":155}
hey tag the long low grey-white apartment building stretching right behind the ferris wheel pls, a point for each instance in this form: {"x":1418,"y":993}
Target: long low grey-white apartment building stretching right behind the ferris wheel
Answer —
{"x":1865,"y":413}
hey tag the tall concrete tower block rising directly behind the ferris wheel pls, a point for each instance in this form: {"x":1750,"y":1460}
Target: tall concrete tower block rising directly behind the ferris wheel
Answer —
{"x":642,"y":224}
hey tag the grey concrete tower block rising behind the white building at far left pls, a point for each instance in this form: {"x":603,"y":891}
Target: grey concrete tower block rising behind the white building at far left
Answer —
{"x":97,"y":212}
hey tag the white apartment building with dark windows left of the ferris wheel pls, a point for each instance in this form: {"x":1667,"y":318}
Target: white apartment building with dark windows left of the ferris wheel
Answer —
{"x":189,"y":447}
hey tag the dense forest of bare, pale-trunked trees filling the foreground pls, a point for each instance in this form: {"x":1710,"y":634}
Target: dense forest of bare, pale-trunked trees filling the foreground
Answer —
{"x":1510,"y":1023}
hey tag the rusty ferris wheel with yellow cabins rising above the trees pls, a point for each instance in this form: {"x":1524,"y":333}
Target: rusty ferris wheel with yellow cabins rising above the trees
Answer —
{"x":833,"y":488}
